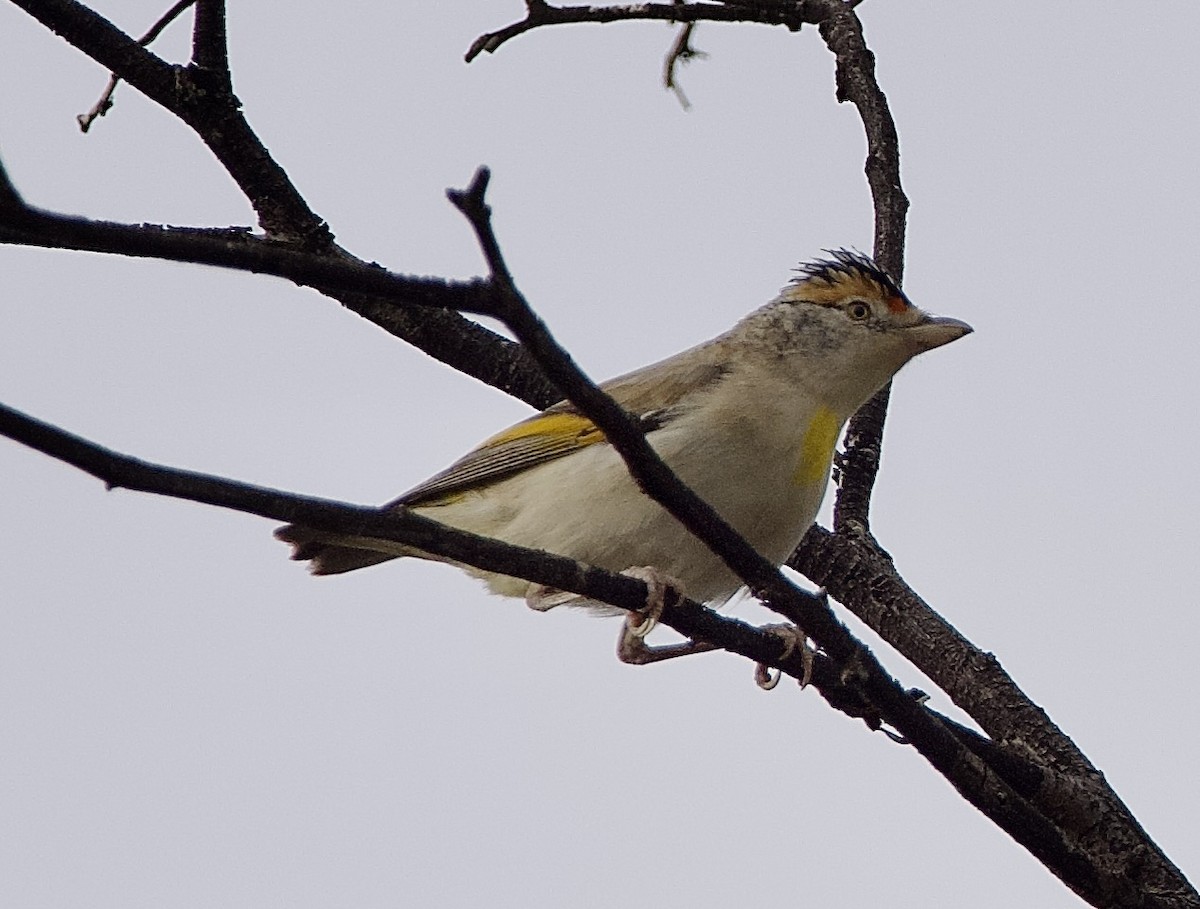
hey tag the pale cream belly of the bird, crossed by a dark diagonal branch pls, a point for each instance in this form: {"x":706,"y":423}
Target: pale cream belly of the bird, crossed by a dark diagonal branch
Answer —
{"x":587,"y":508}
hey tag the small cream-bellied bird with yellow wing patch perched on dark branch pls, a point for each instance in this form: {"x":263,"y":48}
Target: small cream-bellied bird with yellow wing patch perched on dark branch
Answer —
{"x":748,"y":420}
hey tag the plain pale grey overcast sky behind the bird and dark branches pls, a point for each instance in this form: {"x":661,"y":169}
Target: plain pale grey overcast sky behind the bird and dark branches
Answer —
{"x":189,"y":720}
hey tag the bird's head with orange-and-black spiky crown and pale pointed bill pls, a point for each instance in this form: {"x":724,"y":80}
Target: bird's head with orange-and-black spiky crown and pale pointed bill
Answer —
{"x":847,"y":328}
